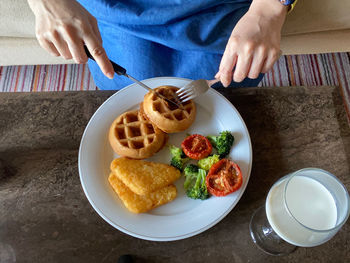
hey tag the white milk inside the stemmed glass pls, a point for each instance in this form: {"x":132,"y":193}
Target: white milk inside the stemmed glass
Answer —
{"x":310,"y":203}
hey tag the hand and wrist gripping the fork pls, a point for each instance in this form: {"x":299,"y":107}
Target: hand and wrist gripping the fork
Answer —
{"x":254,"y":45}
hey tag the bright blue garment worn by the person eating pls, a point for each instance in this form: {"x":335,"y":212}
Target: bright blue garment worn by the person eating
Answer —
{"x":153,"y":38}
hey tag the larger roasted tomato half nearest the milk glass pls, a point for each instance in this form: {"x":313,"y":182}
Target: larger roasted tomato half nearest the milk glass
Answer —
{"x":224,"y":177}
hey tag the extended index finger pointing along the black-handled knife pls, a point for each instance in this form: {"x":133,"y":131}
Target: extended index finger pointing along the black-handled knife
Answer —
{"x":99,"y":54}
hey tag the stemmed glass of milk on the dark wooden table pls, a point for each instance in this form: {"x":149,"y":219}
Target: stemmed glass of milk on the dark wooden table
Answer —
{"x":305,"y":208}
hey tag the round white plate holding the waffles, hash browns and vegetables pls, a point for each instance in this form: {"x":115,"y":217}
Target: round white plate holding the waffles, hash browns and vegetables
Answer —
{"x":183,"y":217}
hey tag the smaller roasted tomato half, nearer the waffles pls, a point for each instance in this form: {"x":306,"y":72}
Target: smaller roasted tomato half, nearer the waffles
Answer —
{"x":196,"y":146}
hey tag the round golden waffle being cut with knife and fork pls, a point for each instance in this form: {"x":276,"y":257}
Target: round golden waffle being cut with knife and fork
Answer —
{"x":166,"y":116}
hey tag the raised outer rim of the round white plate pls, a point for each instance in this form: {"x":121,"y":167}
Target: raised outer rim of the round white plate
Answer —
{"x":170,"y":238}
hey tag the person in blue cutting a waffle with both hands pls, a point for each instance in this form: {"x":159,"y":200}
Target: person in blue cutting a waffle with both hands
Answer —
{"x":233,"y":41}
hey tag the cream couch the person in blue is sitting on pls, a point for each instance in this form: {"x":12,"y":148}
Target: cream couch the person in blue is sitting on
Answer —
{"x":314,"y":26}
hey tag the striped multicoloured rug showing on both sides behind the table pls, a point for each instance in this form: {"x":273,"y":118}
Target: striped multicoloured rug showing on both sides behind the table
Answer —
{"x":294,"y":70}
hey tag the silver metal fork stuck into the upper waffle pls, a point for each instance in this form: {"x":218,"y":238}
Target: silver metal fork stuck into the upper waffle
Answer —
{"x":194,"y":89}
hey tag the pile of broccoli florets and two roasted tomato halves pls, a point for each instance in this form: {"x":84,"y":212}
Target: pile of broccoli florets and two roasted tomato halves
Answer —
{"x":211,"y":175}
